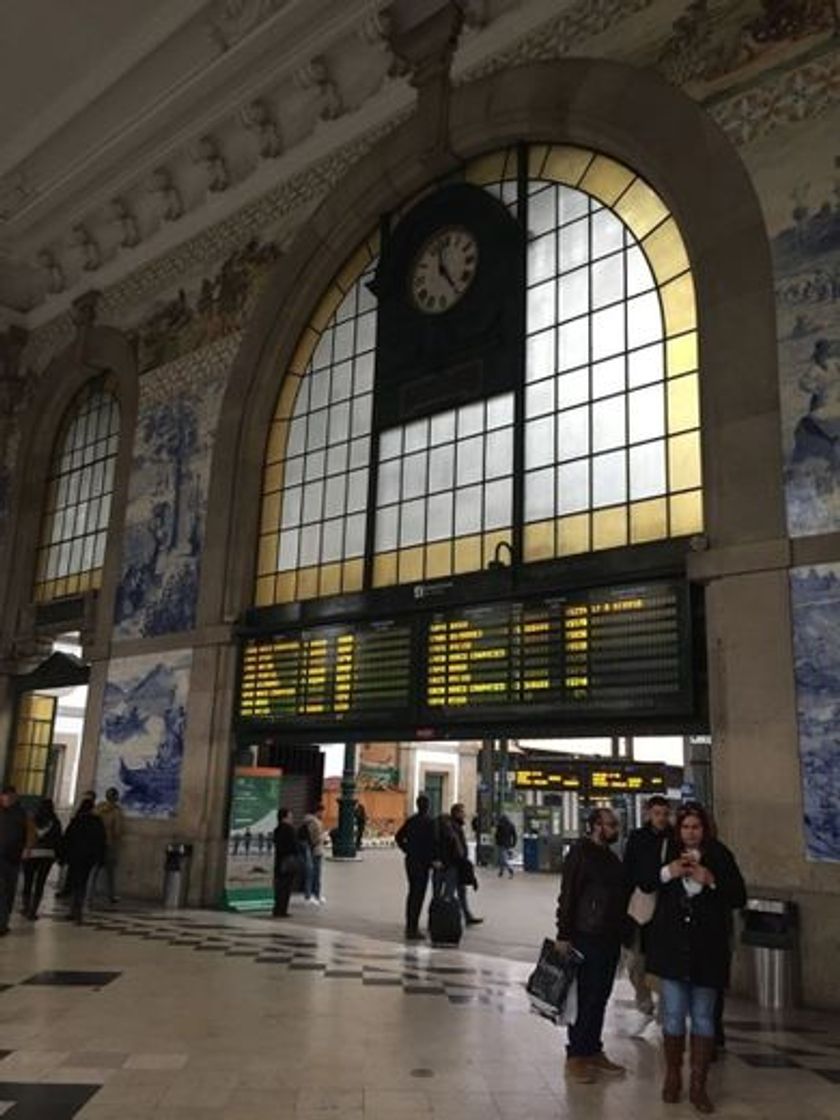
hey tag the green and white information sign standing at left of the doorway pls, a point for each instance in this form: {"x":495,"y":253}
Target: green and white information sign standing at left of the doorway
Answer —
{"x":255,"y":802}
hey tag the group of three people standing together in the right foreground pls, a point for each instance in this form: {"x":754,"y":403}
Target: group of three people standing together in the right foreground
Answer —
{"x":670,"y":902}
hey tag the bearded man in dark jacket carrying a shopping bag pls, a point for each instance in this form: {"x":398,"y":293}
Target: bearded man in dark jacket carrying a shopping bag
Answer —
{"x":591,"y":913}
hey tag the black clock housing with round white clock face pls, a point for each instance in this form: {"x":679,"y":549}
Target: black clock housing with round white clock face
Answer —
{"x":451,"y":305}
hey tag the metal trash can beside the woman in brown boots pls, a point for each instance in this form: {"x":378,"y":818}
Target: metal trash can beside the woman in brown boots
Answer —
{"x":771,"y":932}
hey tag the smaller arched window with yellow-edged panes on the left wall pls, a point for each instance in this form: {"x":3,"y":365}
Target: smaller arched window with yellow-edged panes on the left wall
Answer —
{"x":80,"y":488}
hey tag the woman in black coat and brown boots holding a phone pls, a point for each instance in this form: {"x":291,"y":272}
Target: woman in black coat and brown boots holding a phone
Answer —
{"x":688,"y":946}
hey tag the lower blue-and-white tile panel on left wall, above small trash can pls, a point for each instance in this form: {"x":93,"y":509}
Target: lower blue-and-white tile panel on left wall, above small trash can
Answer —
{"x":142,"y":739}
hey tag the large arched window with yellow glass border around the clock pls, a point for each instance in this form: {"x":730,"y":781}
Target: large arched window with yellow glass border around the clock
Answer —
{"x":605,"y":425}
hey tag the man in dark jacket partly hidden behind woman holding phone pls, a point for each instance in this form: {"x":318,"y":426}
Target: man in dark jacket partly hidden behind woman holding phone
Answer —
{"x":645,"y":855}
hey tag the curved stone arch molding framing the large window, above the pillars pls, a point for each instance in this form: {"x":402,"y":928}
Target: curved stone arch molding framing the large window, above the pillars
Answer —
{"x":628,"y":114}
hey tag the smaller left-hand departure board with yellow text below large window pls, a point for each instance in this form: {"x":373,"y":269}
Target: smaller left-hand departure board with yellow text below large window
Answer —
{"x":328,"y":674}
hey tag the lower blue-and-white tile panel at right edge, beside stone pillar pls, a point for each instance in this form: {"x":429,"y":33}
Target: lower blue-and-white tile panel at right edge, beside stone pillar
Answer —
{"x":816,"y":601}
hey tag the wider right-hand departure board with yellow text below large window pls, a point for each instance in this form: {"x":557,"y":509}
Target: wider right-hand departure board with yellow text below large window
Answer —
{"x":615,"y":650}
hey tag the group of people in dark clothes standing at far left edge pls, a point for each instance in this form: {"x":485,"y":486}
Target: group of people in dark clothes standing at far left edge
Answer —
{"x":88,"y":851}
